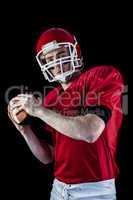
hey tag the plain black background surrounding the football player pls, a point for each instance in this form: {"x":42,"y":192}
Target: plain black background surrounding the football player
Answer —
{"x":103,"y":34}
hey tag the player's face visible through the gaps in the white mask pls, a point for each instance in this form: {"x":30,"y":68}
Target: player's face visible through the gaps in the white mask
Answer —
{"x":57,"y":54}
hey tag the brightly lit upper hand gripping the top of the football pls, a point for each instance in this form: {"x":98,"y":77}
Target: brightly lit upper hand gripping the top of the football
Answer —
{"x":26,"y":102}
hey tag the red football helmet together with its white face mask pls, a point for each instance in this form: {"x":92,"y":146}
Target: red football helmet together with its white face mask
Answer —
{"x":53,"y":39}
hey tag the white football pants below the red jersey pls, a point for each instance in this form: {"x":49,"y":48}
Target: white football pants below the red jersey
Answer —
{"x":84,"y":191}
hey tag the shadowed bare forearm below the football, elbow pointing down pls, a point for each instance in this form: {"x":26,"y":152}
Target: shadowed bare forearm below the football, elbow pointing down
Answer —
{"x":41,"y":150}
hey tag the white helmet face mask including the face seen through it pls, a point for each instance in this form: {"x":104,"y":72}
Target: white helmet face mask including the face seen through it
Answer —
{"x":66,"y":60}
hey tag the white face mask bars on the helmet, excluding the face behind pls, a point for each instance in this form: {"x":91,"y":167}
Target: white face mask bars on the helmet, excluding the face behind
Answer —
{"x":71,"y":59}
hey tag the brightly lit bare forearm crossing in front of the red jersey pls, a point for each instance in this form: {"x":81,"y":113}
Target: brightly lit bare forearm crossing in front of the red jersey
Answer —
{"x":80,"y":128}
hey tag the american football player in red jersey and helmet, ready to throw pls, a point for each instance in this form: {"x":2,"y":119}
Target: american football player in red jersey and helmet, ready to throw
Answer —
{"x":83,"y":114}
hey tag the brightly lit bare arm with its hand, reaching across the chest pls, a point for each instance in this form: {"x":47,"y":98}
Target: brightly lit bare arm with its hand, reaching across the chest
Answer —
{"x":87,"y":128}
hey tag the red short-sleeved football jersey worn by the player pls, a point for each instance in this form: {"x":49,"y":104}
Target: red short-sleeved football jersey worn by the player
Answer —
{"x":78,"y":161}
